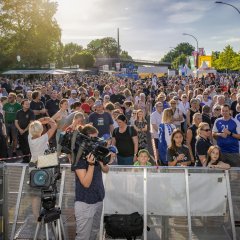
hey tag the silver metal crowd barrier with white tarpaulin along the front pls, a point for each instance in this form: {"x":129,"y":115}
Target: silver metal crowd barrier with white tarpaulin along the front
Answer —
{"x":176,"y":203}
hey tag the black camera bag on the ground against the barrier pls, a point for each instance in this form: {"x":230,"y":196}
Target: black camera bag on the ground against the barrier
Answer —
{"x":125,"y":226}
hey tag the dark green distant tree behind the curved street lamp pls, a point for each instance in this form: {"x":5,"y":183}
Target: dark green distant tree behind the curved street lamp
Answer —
{"x":182,"y":48}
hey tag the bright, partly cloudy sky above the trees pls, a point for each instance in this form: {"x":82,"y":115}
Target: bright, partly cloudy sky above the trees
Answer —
{"x":150,"y":28}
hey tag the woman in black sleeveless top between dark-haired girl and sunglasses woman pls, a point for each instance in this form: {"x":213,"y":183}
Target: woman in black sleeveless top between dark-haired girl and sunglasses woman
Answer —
{"x":192,"y":134}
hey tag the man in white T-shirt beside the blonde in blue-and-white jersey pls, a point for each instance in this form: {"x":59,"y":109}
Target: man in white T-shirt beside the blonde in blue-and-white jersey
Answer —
{"x":155,"y":120}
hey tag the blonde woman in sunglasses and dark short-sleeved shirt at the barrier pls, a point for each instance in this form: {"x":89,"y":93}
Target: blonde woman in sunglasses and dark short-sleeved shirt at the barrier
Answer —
{"x":202,"y":144}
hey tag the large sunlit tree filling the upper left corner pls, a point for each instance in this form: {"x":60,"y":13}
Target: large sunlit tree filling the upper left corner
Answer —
{"x":28,"y":28}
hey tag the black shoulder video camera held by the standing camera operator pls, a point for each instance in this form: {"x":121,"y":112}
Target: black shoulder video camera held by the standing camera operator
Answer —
{"x":80,"y":145}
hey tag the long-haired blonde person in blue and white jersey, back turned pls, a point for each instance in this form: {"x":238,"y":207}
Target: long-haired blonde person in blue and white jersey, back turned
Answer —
{"x":165,"y":131}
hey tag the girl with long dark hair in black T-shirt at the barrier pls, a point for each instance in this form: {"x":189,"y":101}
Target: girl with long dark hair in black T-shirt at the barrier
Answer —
{"x":178,"y":154}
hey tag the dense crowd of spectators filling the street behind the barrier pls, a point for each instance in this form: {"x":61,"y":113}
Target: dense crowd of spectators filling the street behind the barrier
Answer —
{"x":177,"y":121}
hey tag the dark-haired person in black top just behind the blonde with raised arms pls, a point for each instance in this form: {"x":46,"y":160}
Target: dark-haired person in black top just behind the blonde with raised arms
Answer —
{"x":37,"y":106}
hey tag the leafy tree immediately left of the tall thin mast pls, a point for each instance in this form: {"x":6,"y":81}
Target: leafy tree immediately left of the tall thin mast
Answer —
{"x":105,"y":47}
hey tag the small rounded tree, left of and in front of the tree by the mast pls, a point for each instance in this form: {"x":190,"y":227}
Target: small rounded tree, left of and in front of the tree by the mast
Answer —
{"x":84,"y":59}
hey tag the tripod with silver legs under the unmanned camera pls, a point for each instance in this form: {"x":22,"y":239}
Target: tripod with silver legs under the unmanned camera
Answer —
{"x":53,"y":217}
